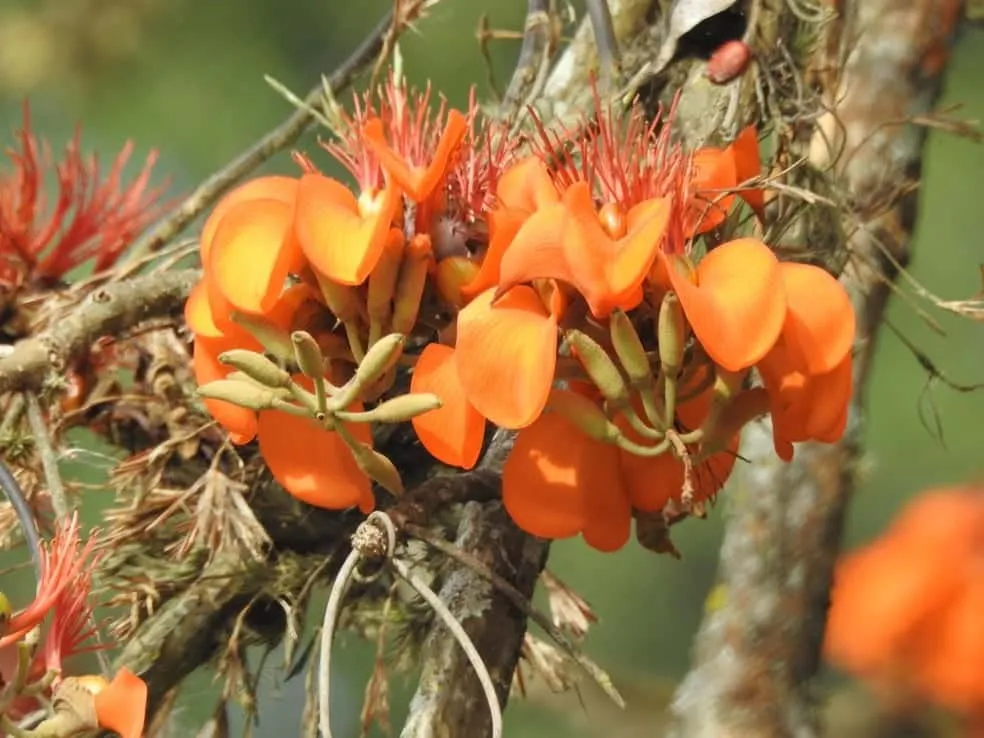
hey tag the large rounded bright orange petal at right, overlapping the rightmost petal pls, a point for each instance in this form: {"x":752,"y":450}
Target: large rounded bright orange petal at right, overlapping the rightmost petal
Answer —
{"x":738,"y":305}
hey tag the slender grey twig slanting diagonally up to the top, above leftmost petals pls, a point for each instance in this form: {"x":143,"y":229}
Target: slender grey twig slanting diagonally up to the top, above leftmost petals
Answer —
{"x":273,"y":142}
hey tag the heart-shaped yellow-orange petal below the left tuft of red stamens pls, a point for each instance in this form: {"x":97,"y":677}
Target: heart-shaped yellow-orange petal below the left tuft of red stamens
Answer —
{"x":339,"y":242}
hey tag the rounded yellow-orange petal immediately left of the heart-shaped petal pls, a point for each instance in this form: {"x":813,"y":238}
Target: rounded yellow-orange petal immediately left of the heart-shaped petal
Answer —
{"x":252,"y":253}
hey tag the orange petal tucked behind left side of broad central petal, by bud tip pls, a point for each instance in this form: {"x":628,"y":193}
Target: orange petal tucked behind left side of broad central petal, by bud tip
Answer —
{"x":455,"y":432}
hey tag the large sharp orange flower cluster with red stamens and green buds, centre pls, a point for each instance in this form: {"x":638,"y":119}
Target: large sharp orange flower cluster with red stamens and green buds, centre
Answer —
{"x":551,"y":287}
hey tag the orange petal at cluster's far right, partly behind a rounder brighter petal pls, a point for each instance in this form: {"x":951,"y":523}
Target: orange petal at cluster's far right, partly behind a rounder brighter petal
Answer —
{"x":820,"y":320}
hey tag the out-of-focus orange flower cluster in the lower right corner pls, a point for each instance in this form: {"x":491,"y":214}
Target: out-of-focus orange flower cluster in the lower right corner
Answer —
{"x":906,"y":609}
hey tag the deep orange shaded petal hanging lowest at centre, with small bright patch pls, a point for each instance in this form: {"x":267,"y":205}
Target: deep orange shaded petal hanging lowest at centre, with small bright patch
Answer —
{"x":546,"y":477}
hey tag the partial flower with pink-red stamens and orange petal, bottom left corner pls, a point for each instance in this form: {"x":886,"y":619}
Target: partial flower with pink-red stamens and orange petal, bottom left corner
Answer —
{"x":31,"y":665}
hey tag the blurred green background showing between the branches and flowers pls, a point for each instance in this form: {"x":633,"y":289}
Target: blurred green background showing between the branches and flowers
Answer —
{"x":187,"y":78}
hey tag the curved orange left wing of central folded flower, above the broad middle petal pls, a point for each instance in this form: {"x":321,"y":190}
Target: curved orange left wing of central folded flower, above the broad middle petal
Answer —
{"x":537,"y":251}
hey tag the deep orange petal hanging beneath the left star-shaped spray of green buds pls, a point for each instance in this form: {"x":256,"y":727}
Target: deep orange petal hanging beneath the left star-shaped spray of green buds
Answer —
{"x":312,"y":464}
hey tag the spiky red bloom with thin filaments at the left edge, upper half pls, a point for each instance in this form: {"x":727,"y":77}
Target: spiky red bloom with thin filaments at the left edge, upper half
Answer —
{"x":93,"y":217}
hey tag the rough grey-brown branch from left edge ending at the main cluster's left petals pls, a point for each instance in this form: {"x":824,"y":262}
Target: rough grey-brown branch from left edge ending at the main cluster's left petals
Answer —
{"x":106,"y":311}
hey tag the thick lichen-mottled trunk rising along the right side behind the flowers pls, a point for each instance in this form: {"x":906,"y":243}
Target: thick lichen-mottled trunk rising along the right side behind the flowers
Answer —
{"x":755,"y":655}
